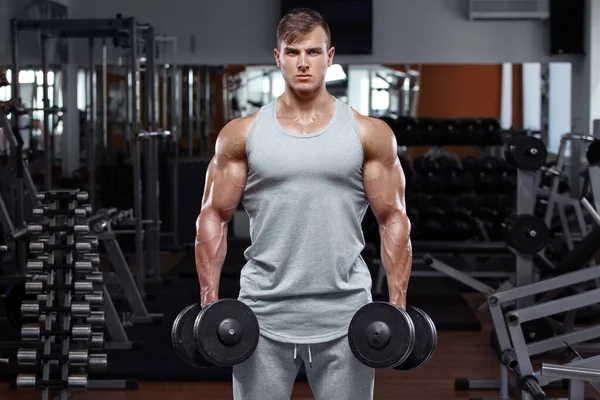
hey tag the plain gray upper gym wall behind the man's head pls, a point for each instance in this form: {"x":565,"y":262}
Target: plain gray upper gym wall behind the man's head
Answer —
{"x":404,"y":31}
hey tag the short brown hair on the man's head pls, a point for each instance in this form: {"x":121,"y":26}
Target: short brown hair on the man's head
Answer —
{"x":298,"y":23}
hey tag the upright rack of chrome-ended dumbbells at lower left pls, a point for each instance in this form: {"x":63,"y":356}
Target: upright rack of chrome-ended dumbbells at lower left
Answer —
{"x":61,"y":340}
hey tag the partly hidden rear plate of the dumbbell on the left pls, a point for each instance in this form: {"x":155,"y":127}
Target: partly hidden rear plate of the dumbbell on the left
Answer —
{"x":182,"y":337}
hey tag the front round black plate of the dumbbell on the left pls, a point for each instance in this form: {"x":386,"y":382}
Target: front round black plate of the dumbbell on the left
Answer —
{"x":226,"y":332}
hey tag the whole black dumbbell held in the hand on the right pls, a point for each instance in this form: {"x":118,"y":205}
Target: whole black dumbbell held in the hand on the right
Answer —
{"x":383,"y":335}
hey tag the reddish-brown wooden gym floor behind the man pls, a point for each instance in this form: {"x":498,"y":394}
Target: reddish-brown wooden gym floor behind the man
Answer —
{"x":460,"y":354}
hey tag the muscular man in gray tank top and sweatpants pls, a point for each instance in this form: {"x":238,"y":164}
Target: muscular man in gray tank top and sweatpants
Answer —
{"x":305,"y":167}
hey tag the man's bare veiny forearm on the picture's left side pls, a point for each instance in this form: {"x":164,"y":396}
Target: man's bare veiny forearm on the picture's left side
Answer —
{"x":210,"y":251}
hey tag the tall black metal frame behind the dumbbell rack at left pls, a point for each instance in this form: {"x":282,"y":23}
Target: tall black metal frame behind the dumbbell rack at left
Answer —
{"x":141,"y":40}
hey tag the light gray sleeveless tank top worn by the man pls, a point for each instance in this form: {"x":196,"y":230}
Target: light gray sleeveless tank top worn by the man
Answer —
{"x":305,"y":277}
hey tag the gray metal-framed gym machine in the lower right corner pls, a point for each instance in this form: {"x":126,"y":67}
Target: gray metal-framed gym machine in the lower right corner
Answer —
{"x":517,"y":345}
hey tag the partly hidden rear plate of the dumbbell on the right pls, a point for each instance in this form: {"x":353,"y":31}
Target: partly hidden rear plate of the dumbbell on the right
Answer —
{"x":425,"y":340}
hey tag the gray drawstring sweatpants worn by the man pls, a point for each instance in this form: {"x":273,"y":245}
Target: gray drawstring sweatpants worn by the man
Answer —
{"x":332,"y":371}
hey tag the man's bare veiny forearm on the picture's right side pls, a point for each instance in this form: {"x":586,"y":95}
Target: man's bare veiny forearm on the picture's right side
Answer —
{"x":396,"y":255}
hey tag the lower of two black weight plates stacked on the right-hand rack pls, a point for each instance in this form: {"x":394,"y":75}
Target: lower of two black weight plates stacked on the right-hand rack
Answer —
{"x":525,"y":233}
